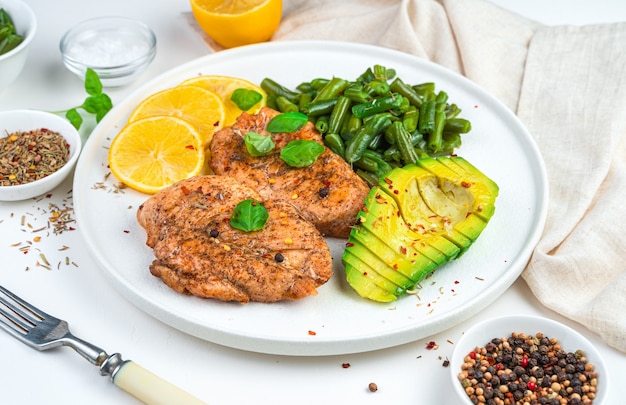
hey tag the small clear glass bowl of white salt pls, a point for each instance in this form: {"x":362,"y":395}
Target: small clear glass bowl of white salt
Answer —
{"x":116,"y":48}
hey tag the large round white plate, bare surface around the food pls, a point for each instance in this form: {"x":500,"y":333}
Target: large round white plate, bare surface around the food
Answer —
{"x":336,"y":321}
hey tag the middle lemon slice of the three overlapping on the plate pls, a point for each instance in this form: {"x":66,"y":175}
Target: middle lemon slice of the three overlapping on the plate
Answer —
{"x":200,"y":107}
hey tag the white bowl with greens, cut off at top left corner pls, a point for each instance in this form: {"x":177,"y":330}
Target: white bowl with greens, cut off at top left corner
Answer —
{"x":17,"y":30}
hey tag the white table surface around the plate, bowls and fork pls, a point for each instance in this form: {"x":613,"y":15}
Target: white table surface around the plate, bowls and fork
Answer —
{"x":408,"y":374}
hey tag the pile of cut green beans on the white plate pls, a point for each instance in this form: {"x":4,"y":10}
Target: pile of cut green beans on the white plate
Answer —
{"x":377,"y":121}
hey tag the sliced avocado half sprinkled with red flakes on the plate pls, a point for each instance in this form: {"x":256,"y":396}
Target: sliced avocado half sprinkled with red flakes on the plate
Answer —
{"x":416,"y":219}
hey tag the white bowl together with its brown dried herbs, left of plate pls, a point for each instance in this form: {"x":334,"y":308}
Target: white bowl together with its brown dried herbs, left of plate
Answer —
{"x":38,"y":150}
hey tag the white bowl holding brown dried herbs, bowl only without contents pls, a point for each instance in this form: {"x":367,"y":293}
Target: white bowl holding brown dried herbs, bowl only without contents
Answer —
{"x":27,"y":120}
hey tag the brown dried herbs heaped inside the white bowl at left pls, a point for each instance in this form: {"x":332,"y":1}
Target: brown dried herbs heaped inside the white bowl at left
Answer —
{"x":27,"y":156}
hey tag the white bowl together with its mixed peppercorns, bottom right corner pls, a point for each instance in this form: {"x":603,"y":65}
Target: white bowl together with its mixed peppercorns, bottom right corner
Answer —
{"x":520,"y":360}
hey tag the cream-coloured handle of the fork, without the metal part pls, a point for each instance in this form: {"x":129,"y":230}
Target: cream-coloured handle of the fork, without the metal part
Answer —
{"x":150,"y":388}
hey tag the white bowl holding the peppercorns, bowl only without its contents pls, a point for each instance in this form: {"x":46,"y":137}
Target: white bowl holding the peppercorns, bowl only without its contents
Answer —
{"x":482,"y":333}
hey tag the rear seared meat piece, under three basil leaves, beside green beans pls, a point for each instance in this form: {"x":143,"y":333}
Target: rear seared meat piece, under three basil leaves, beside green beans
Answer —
{"x":327,"y":193}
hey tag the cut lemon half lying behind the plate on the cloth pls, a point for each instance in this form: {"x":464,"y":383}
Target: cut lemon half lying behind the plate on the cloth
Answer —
{"x":233,"y":23}
